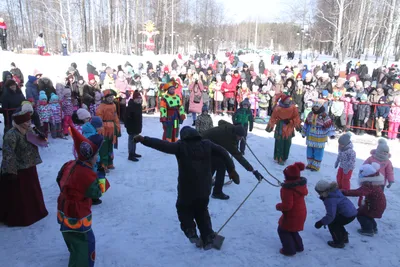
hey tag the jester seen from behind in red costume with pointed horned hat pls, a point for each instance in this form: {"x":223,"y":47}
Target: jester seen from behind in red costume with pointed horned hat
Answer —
{"x":78,"y":186}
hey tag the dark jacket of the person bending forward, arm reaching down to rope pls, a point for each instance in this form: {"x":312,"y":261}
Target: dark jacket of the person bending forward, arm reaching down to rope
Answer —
{"x":225,"y":136}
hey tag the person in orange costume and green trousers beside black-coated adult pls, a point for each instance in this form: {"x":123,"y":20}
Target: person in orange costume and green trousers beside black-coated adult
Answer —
{"x":107,"y":111}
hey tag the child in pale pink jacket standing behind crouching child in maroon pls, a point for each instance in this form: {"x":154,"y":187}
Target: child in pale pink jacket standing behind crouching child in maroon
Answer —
{"x":381,"y":156}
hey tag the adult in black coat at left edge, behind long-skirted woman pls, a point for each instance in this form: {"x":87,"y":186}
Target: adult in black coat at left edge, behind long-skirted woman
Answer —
{"x":11,"y":100}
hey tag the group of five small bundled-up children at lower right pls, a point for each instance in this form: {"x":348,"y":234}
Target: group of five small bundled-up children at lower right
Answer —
{"x":374,"y":175}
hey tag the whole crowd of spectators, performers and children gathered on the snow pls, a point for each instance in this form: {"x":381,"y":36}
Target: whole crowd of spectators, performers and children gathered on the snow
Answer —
{"x":91,"y":109}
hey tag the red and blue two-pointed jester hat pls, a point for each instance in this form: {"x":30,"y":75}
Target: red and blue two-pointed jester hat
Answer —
{"x":86,"y":148}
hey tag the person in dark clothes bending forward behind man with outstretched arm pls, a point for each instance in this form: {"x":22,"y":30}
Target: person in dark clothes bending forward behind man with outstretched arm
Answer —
{"x":228,"y":136}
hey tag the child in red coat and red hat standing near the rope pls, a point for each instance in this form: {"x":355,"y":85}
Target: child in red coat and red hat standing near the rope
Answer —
{"x":294,"y":211}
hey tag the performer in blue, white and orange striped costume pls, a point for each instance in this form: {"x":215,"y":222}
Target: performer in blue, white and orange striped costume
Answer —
{"x":317,"y":127}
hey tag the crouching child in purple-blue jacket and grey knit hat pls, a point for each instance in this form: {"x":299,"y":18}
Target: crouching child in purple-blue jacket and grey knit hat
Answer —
{"x":340,"y":211}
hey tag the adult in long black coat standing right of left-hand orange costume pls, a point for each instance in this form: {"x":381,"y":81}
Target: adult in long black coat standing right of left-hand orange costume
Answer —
{"x":133,"y":123}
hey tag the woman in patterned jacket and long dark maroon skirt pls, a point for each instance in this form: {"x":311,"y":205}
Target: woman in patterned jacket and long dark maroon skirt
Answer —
{"x":21,"y":197}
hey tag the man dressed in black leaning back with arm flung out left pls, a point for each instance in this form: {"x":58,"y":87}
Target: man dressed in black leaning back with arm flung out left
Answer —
{"x":194,"y":156}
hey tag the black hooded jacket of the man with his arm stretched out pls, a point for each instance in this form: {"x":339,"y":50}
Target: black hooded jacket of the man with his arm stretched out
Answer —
{"x":194,"y":156}
